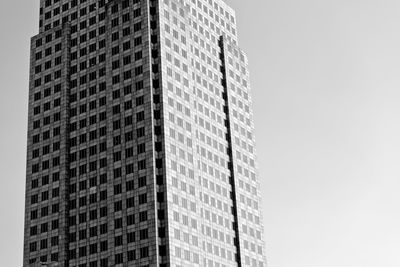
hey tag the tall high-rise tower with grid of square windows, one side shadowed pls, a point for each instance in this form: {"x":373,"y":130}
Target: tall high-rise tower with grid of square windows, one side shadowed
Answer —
{"x":140,"y":143}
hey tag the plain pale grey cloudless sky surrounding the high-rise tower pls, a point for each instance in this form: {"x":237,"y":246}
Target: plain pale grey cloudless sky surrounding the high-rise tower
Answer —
{"x":326,"y":90}
